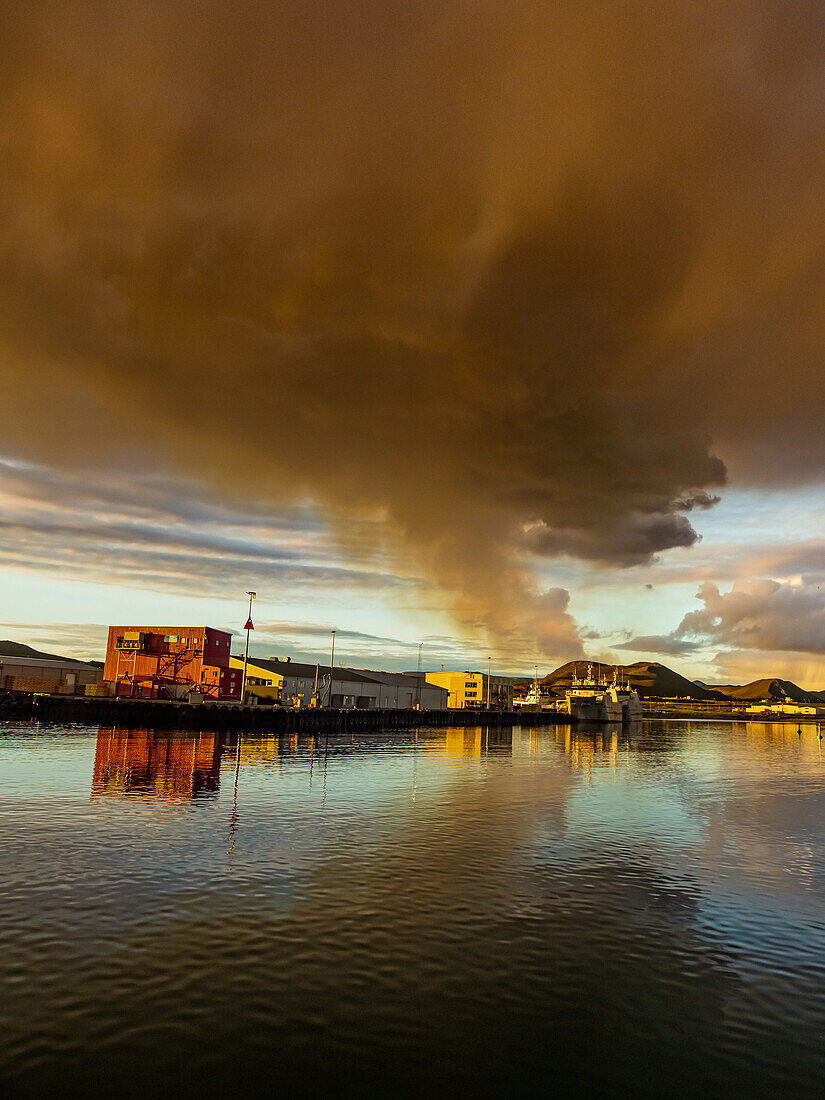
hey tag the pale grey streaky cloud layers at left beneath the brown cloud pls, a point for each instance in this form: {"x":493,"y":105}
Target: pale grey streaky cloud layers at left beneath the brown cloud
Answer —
{"x":144,"y":532}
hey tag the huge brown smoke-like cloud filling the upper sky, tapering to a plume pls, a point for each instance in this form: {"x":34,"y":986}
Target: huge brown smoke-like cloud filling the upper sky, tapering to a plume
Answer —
{"x":470,"y":270}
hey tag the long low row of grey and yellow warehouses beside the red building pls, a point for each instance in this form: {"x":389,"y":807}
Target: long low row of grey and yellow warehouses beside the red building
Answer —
{"x":293,"y":684}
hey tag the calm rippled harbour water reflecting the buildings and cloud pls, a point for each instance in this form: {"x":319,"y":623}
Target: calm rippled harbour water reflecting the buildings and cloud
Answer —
{"x":475,"y":911}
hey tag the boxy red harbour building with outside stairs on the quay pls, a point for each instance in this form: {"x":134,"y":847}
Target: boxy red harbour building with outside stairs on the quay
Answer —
{"x":171,"y":663}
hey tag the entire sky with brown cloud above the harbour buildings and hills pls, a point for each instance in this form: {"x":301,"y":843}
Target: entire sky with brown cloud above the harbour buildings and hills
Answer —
{"x":496,"y":327}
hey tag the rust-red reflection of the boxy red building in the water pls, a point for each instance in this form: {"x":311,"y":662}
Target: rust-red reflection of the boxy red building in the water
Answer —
{"x":167,"y":766}
